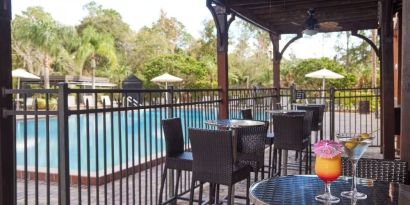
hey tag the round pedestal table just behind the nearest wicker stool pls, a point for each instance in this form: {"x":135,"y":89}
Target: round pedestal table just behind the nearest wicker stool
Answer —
{"x":232,"y":125}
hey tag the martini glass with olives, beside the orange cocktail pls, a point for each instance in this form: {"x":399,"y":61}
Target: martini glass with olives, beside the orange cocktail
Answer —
{"x":354,"y":145}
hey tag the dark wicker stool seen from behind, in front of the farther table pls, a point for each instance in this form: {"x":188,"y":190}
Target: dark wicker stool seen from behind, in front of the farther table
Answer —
{"x":292,"y":132}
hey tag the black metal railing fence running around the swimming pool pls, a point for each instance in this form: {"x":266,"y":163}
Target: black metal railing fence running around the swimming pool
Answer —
{"x":86,"y":146}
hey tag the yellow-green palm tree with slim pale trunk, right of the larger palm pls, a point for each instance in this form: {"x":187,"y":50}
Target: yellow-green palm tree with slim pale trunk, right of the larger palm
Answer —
{"x":95,"y":45}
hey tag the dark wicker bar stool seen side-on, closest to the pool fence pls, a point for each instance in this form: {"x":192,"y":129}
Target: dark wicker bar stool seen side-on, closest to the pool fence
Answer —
{"x":176,"y":158}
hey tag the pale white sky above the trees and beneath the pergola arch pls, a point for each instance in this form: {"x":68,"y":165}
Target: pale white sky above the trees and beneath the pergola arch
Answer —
{"x":190,"y":12}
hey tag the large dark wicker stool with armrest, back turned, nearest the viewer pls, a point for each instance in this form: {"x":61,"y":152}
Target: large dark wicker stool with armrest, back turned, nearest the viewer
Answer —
{"x":213,"y":161}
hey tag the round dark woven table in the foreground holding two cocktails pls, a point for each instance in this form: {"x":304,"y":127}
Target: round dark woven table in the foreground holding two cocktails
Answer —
{"x":302,"y":189}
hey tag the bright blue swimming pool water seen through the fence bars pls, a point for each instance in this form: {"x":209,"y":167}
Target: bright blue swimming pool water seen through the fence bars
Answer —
{"x":148,"y":139}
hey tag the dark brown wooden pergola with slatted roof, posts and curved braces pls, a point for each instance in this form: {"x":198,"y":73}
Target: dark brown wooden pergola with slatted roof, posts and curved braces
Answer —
{"x":276,"y":17}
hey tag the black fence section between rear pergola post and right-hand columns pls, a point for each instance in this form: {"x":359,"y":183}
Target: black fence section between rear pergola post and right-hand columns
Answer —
{"x":347,"y":110}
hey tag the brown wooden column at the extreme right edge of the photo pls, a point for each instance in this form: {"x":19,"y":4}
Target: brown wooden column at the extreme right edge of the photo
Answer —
{"x":405,"y":88}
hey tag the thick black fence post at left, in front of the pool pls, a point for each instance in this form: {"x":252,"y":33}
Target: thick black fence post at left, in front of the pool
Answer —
{"x":63,"y":148}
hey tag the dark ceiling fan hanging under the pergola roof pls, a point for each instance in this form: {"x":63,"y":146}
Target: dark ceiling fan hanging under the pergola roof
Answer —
{"x":312,"y":26}
